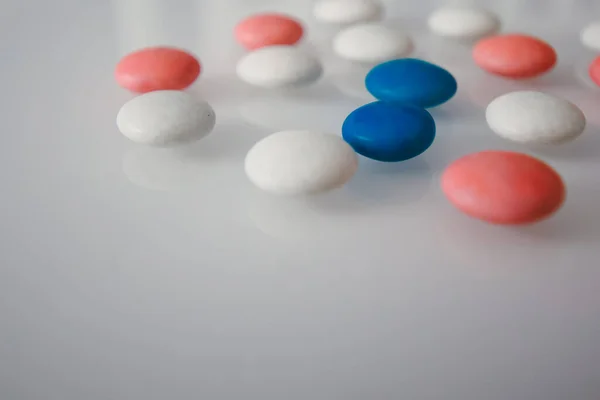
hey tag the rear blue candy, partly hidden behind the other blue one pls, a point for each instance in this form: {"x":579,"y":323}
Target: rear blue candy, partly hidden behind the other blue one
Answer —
{"x":411,"y":81}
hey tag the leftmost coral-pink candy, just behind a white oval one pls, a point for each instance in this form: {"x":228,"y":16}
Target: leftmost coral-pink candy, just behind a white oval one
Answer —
{"x":157,"y":68}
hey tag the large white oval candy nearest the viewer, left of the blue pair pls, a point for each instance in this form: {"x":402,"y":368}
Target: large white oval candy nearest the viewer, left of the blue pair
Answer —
{"x":300,"y":162}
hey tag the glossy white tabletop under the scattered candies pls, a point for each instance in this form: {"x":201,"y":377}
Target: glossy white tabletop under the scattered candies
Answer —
{"x":135,"y":273}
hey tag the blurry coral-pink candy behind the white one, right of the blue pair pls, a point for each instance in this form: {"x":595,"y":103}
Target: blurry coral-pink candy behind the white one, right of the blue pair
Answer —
{"x":514,"y":56}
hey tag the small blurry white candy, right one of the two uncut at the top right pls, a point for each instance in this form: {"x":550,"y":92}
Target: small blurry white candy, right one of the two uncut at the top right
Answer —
{"x":463,"y":22}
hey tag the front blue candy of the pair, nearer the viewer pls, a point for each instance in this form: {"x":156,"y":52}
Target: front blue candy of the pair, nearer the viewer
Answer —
{"x":390,"y":132}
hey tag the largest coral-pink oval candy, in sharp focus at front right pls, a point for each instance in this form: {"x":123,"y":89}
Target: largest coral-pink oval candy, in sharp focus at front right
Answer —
{"x":503,"y":187}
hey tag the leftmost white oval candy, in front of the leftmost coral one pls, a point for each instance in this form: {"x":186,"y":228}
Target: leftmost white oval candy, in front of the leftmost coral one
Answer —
{"x":165,"y":117}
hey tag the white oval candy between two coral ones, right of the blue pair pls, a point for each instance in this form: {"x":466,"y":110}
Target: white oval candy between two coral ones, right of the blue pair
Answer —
{"x":535,"y":117}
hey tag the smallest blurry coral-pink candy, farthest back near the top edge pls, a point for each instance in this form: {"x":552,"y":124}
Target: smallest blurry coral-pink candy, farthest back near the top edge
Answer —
{"x":268,"y":30}
